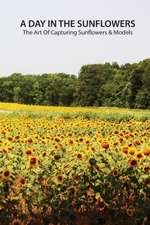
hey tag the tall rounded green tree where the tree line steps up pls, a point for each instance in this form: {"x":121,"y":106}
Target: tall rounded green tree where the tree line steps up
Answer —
{"x":91,"y":79}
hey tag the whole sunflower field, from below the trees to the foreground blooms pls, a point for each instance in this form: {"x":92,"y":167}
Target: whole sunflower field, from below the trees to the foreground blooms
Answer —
{"x":74,"y":166}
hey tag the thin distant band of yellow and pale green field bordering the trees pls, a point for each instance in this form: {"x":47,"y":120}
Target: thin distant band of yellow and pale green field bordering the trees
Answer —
{"x":108,"y":113}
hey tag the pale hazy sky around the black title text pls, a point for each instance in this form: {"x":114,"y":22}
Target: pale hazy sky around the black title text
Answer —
{"x":46,"y":54}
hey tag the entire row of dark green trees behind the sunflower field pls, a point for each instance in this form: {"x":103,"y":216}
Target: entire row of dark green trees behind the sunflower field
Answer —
{"x":108,"y":84}
